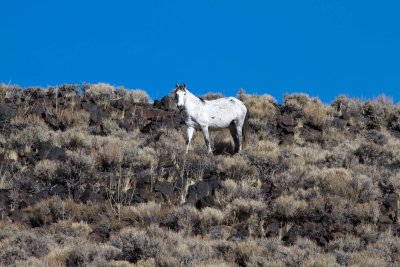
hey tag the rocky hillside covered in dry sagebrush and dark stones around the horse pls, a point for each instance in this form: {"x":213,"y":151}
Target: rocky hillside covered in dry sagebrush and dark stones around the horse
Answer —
{"x":92,"y":175}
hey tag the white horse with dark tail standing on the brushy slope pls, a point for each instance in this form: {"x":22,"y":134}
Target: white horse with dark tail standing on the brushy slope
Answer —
{"x":212,"y":114}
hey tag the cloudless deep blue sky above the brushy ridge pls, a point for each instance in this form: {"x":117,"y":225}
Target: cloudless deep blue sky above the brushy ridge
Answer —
{"x":323,"y":48}
